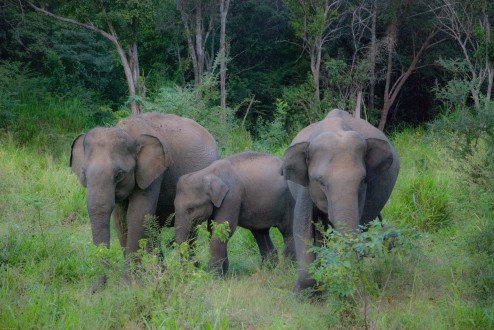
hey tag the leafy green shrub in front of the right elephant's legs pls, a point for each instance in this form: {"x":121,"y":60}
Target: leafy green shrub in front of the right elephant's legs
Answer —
{"x":345,"y":266}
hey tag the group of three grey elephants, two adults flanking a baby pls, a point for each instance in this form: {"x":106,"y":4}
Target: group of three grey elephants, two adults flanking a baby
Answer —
{"x":339,"y":171}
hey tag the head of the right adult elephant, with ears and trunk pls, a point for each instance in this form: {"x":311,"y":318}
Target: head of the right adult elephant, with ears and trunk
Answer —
{"x":338,"y":168}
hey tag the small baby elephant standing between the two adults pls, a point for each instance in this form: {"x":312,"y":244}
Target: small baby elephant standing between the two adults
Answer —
{"x":245,"y":189}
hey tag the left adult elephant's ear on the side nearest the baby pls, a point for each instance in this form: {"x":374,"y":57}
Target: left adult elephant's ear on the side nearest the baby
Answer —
{"x":152,"y":160}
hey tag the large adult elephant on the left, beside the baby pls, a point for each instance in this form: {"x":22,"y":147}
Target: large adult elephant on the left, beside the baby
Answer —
{"x":132,"y":169}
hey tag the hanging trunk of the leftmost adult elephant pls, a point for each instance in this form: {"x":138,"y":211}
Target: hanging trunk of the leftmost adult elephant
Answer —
{"x":100,"y":206}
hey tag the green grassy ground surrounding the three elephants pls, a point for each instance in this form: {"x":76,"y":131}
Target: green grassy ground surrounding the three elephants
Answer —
{"x":440,"y":277}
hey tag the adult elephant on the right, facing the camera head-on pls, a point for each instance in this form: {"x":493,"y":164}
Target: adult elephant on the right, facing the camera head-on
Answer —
{"x":342,"y":171}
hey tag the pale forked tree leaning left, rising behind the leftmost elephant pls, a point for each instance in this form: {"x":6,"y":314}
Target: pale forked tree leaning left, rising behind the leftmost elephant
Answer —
{"x":120,"y":22}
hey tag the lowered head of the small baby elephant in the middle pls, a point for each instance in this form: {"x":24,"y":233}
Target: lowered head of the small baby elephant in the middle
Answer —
{"x":197,"y":195}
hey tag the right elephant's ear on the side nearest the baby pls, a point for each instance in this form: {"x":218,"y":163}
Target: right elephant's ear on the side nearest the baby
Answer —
{"x":295,"y":163}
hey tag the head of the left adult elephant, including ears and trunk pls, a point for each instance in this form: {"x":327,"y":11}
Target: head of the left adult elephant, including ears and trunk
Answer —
{"x":112,"y":164}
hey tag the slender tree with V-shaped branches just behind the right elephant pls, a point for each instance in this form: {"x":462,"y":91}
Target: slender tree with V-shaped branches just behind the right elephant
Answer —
{"x":315,"y":22}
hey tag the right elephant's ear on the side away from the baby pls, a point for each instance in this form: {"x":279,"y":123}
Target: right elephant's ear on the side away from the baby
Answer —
{"x":379,"y":156}
